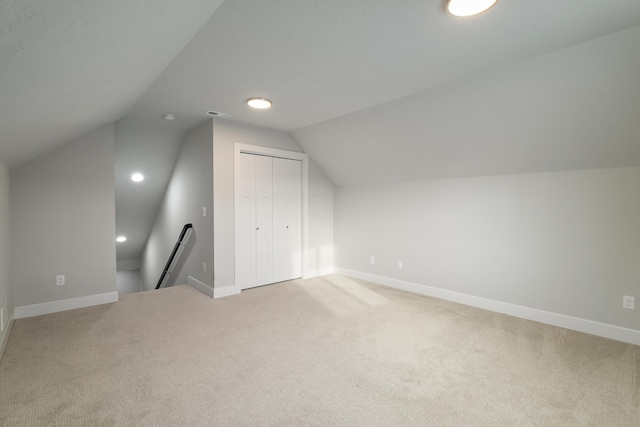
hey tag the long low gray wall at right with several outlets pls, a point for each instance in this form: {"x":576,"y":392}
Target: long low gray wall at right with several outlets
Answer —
{"x":563,"y":242}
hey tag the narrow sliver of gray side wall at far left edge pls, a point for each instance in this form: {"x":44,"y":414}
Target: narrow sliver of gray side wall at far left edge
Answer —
{"x":6,"y":297}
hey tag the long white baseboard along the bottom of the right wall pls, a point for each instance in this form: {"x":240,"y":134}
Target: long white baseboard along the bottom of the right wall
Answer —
{"x":613,"y":332}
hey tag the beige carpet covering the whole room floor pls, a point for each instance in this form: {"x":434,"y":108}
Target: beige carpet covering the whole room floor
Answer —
{"x":330,"y":351}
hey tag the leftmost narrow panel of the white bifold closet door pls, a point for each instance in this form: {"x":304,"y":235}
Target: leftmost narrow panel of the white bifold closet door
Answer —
{"x":245,"y":225}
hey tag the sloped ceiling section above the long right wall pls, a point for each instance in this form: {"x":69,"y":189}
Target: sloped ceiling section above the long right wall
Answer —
{"x":576,"y":108}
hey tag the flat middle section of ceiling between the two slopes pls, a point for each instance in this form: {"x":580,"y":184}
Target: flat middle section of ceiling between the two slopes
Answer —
{"x":318,"y":60}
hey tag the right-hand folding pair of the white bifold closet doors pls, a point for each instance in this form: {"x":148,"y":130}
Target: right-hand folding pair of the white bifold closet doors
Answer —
{"x":287,"y":213}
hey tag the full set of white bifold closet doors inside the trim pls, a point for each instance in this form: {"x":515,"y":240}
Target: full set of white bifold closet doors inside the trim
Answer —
{"x":268,"y":228}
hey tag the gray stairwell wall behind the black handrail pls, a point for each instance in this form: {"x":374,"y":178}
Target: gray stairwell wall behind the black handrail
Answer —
{"x":189,"y":190}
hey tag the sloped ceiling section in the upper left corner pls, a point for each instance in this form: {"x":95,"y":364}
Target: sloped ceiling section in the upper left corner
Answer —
{"x":68,"y":67}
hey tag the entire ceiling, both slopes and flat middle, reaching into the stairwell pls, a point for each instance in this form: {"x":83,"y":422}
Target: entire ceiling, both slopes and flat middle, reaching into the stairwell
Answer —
{"x":373,"y":90}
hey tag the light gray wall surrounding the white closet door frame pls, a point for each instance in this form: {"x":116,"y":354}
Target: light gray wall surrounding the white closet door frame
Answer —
{"x":226,"y":133}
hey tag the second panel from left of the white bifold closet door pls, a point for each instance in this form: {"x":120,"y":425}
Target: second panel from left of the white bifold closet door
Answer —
{"x":264,"y":220}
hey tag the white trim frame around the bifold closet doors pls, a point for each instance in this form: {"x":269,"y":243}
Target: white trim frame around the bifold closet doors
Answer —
{"x":240,"y":148}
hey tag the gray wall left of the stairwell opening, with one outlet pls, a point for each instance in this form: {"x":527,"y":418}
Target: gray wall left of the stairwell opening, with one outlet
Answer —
{"x":63,"y":221}
